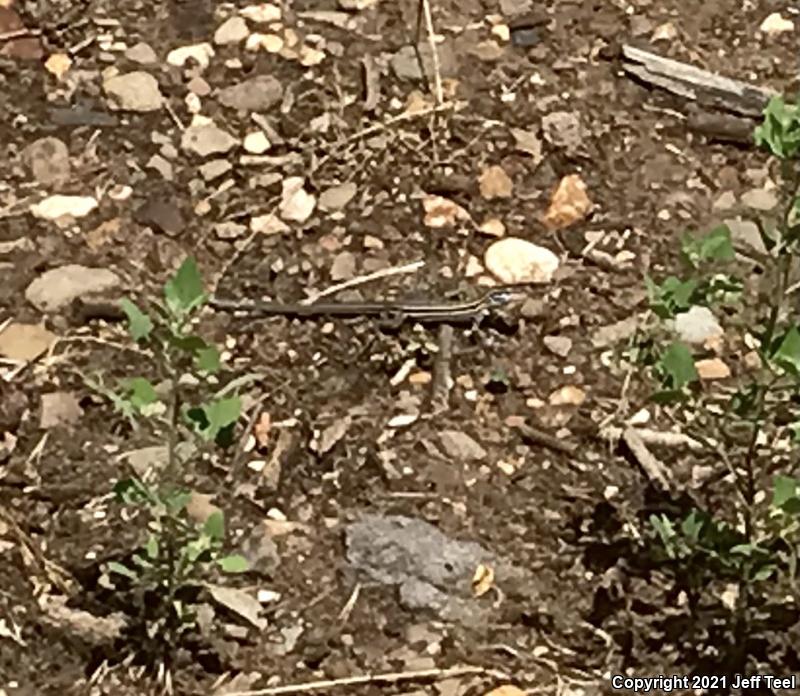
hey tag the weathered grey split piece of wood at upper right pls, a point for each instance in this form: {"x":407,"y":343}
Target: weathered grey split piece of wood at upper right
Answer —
{"x":689,"y":82}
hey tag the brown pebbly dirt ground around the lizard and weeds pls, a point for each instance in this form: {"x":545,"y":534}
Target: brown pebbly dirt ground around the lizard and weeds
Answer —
{"x":593,"y":606}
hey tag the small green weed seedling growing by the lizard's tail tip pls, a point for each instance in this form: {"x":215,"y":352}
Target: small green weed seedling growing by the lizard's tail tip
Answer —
{"x":177,"y":552}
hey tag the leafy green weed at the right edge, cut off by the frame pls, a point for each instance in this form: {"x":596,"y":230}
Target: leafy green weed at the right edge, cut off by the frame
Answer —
{"x":755,"y":535}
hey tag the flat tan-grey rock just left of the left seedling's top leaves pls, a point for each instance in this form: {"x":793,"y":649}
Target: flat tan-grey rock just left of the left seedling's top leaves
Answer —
{"x":57,"y":287}
